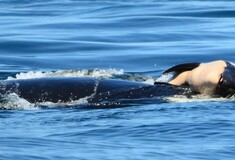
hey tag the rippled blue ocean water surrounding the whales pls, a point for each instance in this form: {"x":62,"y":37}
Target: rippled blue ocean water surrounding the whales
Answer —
{"x":135,"y":40}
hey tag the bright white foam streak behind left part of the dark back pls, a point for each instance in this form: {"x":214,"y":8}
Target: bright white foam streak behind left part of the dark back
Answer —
{"x":68,"y":73}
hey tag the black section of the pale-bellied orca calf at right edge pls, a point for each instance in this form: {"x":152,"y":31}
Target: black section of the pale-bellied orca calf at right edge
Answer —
{"x":226,"y":85}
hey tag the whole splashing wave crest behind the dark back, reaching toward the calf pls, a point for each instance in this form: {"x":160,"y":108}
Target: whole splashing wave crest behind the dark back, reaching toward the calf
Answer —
{"x":97,"y":73}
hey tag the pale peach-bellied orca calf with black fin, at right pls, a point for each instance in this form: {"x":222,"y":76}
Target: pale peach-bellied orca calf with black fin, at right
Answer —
{"x":212,"y":78}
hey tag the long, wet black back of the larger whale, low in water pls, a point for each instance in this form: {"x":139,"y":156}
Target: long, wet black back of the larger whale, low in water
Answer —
{"x":68,"y":89}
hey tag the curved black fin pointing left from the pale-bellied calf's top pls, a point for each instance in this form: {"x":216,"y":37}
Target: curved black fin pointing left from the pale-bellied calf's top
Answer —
{"x":182,"y":68}
